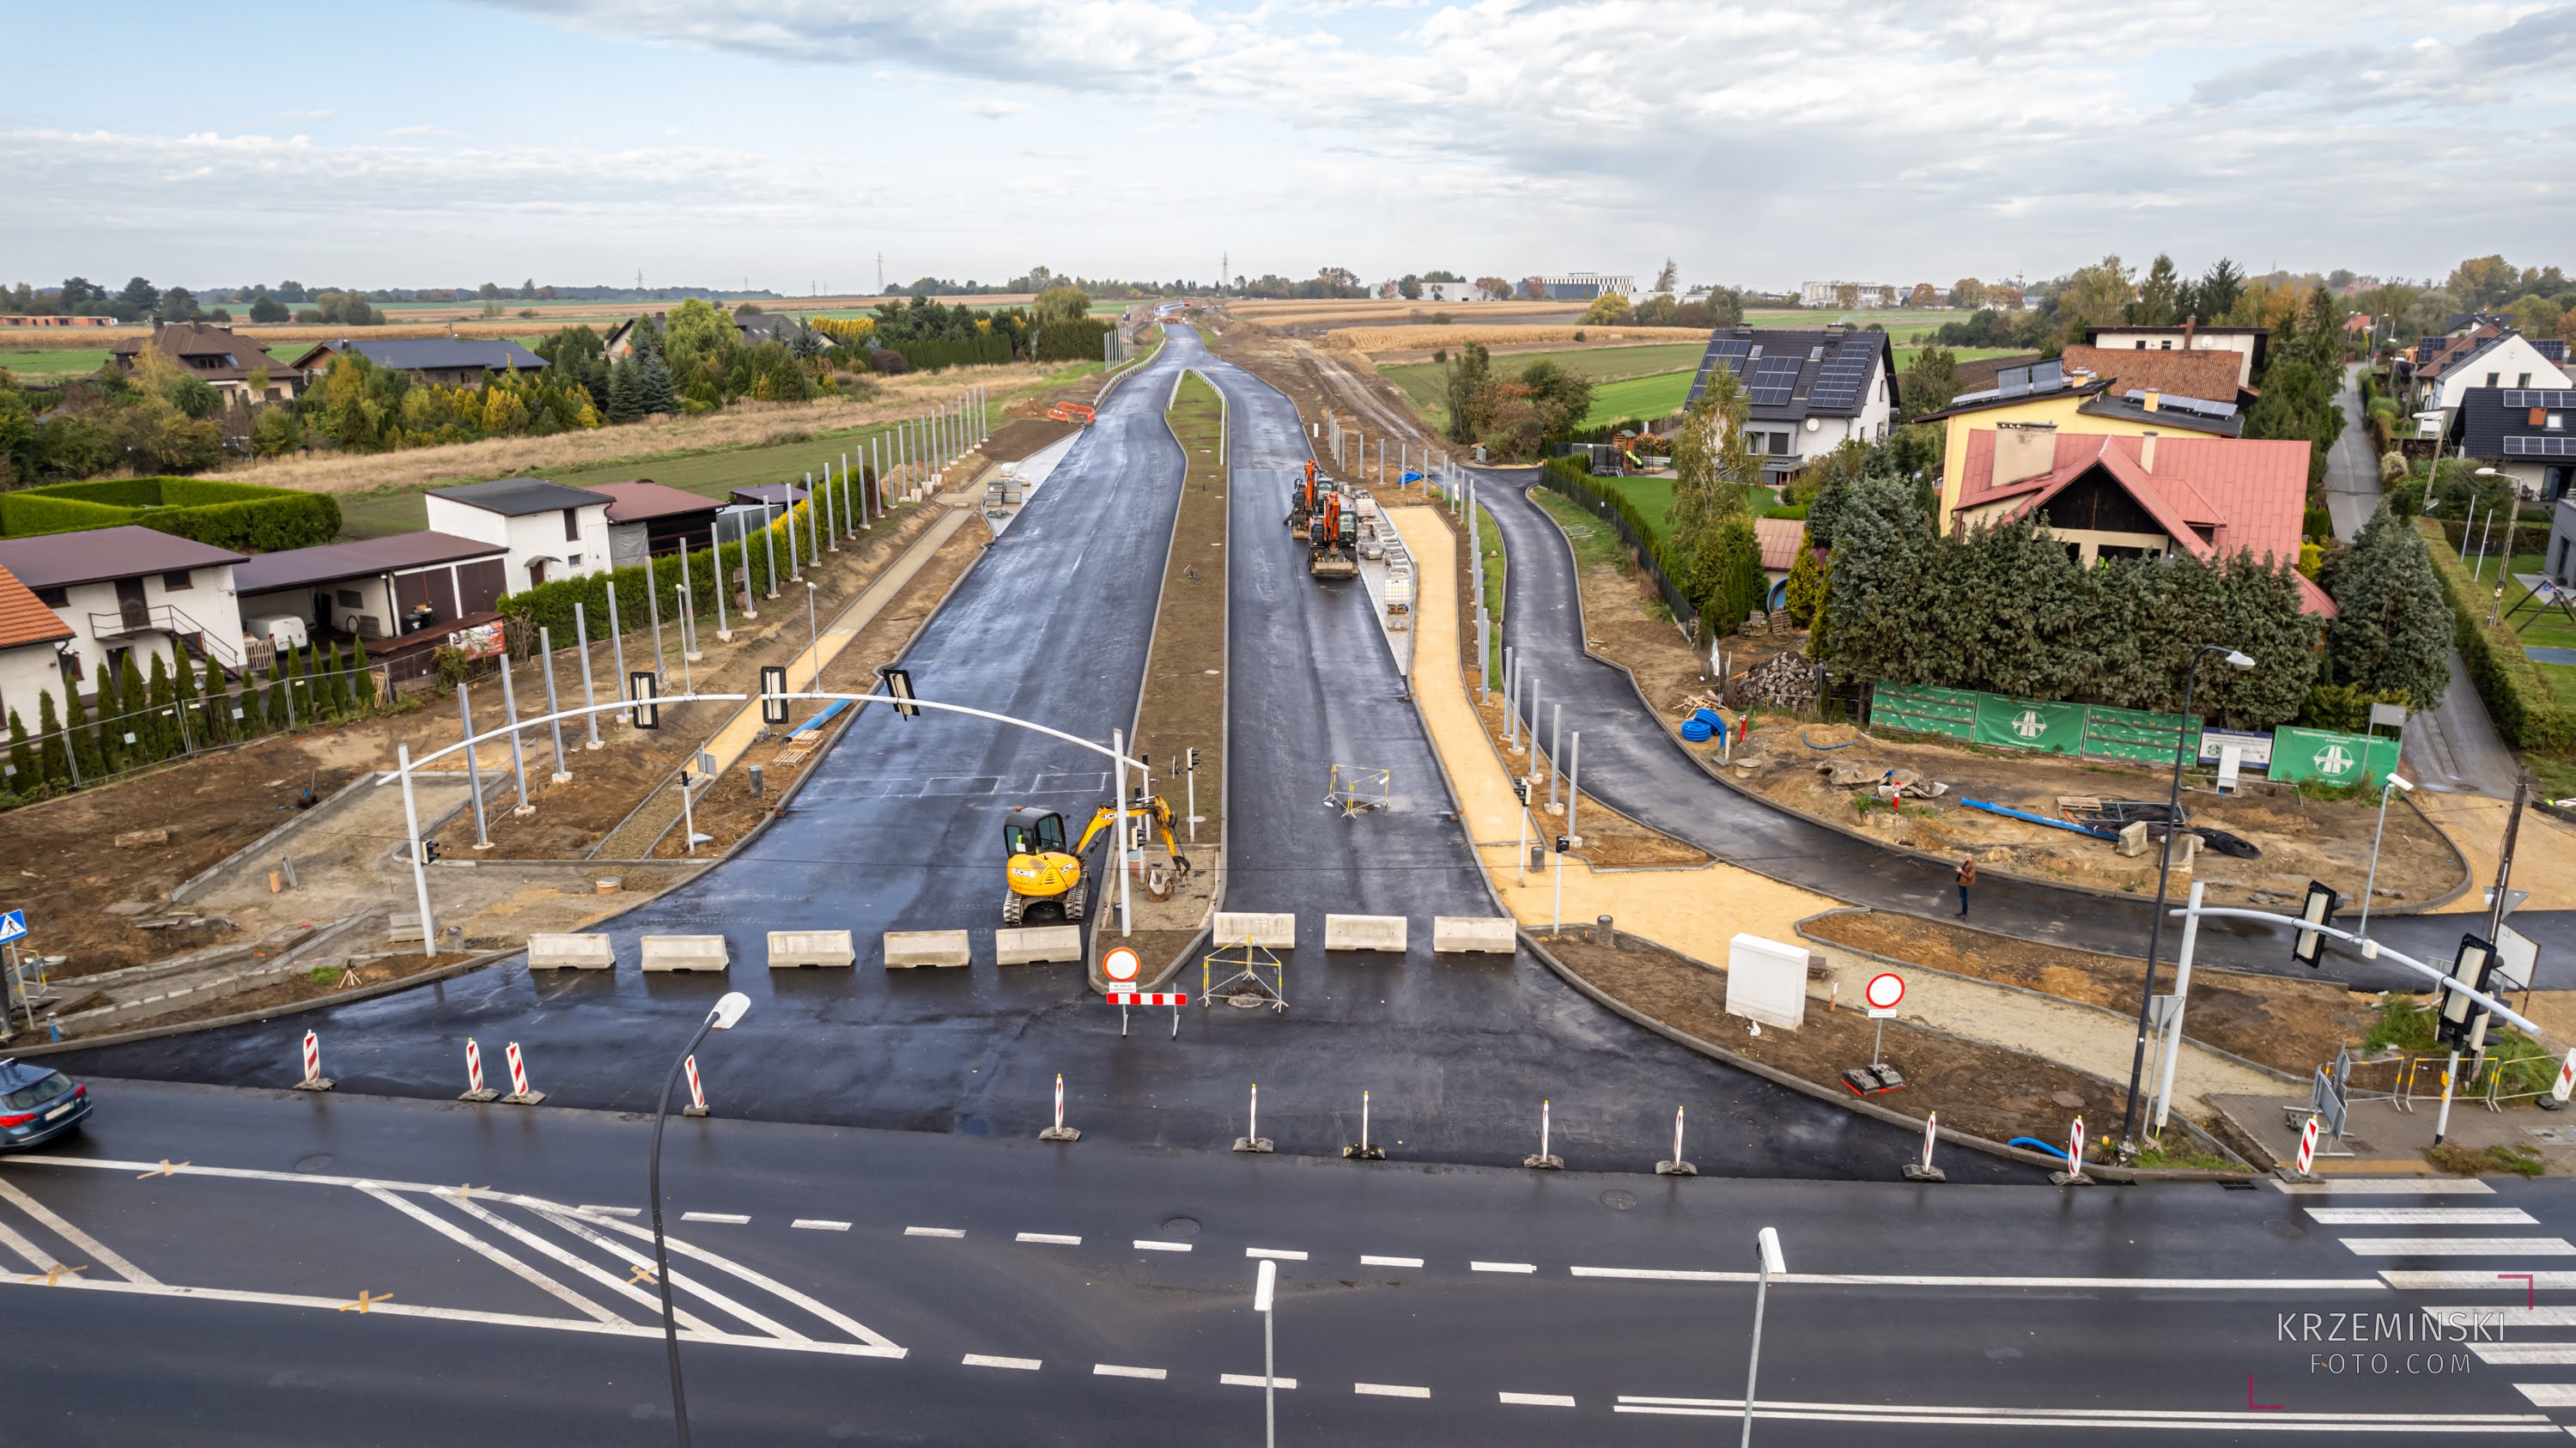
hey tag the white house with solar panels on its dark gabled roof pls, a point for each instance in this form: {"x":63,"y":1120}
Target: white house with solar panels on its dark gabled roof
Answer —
{"x":1810,"y":390}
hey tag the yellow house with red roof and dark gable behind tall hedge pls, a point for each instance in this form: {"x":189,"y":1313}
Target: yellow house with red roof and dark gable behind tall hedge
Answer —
{"x":2147,"y":496}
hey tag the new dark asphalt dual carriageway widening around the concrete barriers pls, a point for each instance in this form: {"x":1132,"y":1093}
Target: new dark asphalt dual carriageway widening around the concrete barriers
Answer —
{"x":900,"y":831}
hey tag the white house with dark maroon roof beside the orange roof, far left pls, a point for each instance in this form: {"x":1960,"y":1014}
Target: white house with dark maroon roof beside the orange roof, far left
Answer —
{"x":133,"y":591}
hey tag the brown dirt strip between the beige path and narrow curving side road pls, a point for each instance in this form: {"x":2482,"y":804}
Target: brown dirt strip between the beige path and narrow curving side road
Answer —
{"x":2273,"y":1022}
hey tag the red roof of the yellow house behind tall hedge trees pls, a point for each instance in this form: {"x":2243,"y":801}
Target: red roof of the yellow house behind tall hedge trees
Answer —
{"x":2253,"y":493}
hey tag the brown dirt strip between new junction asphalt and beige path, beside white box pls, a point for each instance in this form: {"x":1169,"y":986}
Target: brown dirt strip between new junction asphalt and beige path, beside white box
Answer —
{"x":1975,"y":1089}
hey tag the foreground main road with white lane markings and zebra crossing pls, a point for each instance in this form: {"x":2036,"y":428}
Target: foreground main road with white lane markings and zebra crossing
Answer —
{"x":1482,"y":1292}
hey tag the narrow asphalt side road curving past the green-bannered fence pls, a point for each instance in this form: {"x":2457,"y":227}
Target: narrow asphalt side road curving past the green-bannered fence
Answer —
{"x":1632,"y":764}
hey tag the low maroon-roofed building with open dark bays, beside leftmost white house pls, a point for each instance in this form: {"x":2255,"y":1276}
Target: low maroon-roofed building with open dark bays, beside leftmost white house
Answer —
{"x":375,"y":589}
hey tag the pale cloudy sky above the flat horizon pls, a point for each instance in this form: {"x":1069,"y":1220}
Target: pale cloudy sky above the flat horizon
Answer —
{"x":787,"y":143}
